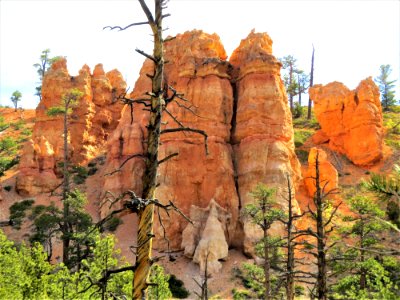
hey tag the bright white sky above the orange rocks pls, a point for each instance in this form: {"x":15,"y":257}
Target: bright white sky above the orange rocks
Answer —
{"x":352,"y":38}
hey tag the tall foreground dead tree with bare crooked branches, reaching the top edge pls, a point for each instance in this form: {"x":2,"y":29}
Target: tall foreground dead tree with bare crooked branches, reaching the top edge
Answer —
{"x":156,"y":103}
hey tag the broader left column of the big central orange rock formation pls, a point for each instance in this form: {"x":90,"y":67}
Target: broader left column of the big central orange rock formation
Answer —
{"x":196,"y":68}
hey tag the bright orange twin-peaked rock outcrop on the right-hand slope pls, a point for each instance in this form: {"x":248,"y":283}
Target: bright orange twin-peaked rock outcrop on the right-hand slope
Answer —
{"x":350,"y":120}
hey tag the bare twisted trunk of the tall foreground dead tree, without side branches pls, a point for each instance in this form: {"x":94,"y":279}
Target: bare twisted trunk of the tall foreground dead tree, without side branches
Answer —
{"x":146,"y":216}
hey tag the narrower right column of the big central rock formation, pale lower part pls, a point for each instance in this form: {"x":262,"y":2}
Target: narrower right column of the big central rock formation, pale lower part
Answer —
{"x":263,"y":135}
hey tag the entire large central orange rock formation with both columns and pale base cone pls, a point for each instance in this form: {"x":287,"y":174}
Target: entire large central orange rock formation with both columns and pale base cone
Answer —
{"x":243,"y":108}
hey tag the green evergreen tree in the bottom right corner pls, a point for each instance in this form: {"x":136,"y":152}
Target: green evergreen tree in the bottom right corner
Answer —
{"x":363,"y":254}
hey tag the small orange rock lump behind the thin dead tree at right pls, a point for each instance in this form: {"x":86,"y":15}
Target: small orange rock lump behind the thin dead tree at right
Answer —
{"x":328,"y":175}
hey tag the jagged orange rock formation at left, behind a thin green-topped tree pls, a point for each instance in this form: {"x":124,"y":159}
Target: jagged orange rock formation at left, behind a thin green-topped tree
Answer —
{"x":93,"y":118}
